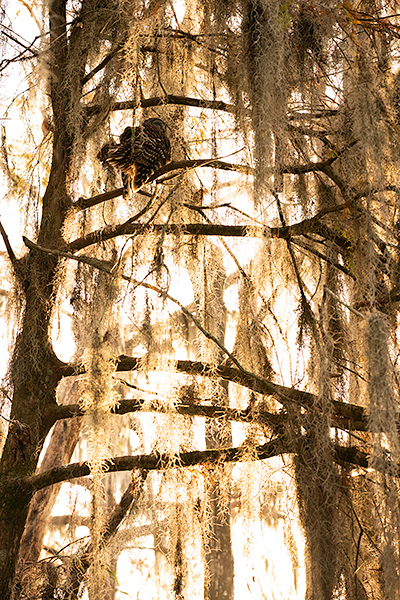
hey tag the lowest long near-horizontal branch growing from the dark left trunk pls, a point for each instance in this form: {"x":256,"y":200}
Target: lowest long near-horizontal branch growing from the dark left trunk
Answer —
{"x":151,"y":462}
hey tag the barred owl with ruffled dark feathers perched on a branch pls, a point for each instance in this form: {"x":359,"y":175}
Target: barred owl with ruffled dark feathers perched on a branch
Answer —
{"x":140,"y":153}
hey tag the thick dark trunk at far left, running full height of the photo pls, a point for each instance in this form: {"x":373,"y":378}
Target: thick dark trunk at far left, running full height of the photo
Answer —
{"x":35,"y":371}
